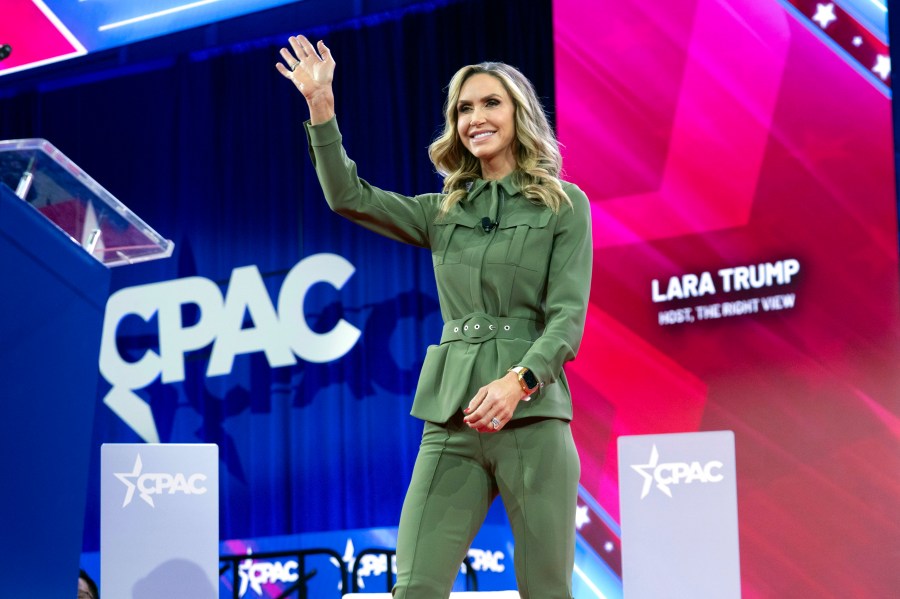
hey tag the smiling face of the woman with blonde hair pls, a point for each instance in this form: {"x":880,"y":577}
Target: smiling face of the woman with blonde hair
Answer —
{"x":486,"y":124}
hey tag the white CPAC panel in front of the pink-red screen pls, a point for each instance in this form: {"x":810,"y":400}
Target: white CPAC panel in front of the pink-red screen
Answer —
{"x":678,"y":499}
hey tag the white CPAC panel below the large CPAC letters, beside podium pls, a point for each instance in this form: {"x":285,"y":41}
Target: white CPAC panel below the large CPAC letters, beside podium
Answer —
{"x":159,"y":522}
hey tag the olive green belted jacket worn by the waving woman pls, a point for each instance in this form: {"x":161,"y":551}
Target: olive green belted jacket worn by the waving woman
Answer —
{"x":514,"y":296}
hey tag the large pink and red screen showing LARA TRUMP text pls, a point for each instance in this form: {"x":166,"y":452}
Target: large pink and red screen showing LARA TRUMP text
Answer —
{"x":739,"y":160}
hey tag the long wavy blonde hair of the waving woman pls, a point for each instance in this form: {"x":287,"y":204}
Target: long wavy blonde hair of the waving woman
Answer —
{"x":538,"y":161}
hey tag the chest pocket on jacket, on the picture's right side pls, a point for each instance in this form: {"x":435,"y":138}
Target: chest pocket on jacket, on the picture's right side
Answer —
{"x":524,"y":239}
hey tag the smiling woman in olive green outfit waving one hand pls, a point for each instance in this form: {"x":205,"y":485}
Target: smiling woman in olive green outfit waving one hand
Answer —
{"x":511,"y":246}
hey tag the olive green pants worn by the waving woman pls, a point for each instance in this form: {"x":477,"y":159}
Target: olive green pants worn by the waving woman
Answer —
{"x":534,"y":467}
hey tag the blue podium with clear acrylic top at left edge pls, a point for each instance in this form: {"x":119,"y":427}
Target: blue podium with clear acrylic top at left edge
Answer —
{"x":60,"y":231}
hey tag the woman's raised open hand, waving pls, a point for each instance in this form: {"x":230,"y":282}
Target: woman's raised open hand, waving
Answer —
{"x":312,"y":72}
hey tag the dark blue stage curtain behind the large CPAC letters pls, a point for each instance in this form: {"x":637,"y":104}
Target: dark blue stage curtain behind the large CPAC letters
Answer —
{"x":208,"y":147}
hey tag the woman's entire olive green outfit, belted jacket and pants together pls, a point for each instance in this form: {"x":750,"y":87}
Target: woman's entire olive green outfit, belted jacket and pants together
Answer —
{"x":516,"y":295}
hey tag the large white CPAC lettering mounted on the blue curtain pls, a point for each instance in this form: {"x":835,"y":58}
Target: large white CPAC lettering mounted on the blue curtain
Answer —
{"x":282,"y":334}
